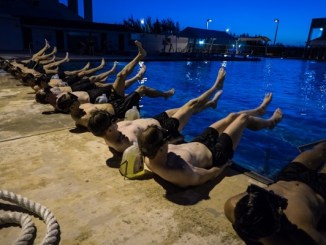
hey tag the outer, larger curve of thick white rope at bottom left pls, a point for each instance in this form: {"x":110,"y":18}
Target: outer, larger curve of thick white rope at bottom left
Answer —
{"x":38,"y":209}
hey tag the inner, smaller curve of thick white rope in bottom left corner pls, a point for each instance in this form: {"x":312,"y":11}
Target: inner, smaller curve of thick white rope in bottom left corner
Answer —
{"x":26,"y":223}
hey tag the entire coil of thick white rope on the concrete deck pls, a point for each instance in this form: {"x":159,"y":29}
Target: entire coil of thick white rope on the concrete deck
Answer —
{"x":26,"y":222}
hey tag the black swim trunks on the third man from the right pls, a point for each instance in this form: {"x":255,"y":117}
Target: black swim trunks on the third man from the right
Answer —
{"x":172,"y":125}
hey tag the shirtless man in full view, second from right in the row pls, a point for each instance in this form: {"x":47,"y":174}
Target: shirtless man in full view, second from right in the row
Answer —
{"x":206,"y":156}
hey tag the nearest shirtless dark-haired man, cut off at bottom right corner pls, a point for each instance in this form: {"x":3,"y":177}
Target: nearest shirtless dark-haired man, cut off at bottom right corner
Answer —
{"x":288,"y":211}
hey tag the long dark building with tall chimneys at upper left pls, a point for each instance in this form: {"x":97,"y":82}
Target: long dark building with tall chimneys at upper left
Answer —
{"x":25,"y":24}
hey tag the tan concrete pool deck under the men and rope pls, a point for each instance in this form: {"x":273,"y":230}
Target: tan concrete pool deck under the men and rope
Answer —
{"x":73,"y":174}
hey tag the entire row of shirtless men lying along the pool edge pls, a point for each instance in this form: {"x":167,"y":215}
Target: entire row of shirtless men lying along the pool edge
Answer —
{"x":288,"y":211}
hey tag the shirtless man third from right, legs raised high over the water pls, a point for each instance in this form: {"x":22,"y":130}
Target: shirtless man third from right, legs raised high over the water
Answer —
{"x":120,"y":135}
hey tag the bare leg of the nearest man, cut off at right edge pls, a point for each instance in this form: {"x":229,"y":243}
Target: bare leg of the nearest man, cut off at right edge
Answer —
{"x":314,"y":158}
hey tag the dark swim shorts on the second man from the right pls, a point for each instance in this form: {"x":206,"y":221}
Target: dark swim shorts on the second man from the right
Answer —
{"x":221,"y":146}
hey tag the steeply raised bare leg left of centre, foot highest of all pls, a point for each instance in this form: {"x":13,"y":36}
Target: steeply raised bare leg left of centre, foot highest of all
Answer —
{"x":119,"y":83}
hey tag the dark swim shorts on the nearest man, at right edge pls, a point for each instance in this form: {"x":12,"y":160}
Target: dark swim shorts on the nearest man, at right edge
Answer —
{"x":296,"y":171}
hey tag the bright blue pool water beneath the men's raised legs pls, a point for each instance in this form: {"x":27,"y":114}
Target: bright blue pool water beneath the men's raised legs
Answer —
{"x":298,"y":87}
